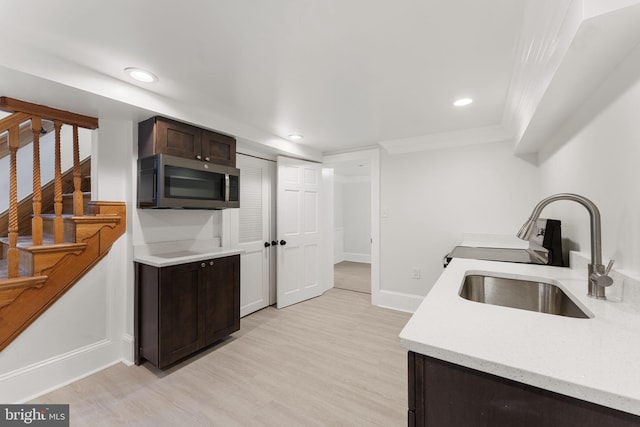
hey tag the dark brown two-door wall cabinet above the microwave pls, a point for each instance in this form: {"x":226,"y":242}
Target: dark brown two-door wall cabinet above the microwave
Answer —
{"x":159,"y":135}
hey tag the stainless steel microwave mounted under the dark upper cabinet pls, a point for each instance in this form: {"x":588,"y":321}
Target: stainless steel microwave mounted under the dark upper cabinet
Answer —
{"x":174,"y":182}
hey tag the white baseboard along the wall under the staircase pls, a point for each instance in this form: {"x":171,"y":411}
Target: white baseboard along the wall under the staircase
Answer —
{"x":29,"y":382}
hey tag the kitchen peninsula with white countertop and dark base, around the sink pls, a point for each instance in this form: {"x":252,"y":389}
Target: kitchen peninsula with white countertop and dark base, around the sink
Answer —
{"x":481,"y":364}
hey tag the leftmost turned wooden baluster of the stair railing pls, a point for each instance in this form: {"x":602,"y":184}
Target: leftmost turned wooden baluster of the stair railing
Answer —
{"x":12,"y":253}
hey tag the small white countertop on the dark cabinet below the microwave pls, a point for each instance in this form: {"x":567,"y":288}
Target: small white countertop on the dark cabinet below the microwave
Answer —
{"x":164,"y":254}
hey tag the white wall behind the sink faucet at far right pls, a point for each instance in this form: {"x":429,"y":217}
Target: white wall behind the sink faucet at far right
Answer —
{"x":602,"y":163}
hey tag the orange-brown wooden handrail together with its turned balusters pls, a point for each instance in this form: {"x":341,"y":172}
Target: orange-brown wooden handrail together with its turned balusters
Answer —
{"x":35,"y":113}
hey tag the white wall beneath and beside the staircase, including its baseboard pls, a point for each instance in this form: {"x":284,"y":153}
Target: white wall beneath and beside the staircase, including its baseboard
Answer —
{"x":91,"y":326}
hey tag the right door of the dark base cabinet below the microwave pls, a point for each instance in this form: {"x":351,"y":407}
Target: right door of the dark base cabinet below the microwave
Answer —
{"x":222,"y":298}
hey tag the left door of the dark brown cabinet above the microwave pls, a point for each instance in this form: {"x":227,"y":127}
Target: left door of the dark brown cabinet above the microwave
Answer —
{"x":178,"y":139}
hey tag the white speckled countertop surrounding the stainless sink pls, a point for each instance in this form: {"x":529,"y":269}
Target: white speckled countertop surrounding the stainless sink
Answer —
{"x":596,"y":359}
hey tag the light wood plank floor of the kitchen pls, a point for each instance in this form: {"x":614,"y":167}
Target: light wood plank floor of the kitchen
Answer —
{"x":334,"y":360}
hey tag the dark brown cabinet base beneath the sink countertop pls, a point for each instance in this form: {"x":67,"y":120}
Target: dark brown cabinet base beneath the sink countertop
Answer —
{"x":442,"y":394}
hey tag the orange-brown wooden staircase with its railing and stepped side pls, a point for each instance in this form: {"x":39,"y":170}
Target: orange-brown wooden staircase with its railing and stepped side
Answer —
{"x":36,"y":270}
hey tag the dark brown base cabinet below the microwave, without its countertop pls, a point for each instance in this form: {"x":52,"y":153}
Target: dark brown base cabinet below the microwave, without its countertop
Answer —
{"x":184,"y":308}
